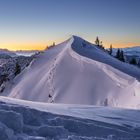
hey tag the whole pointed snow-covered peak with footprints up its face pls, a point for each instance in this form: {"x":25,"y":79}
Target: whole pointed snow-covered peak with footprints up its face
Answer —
{"x":77,"y":72}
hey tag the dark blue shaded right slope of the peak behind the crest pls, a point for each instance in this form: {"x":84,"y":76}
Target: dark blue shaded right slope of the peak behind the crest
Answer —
{"x":86,"y":49}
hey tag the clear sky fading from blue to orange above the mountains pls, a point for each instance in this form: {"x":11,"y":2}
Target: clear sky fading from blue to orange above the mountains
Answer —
{"x":33,"y":24}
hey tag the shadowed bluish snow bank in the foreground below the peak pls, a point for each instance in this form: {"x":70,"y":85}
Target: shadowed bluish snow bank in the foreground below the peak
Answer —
{"x":26,"y":120}
